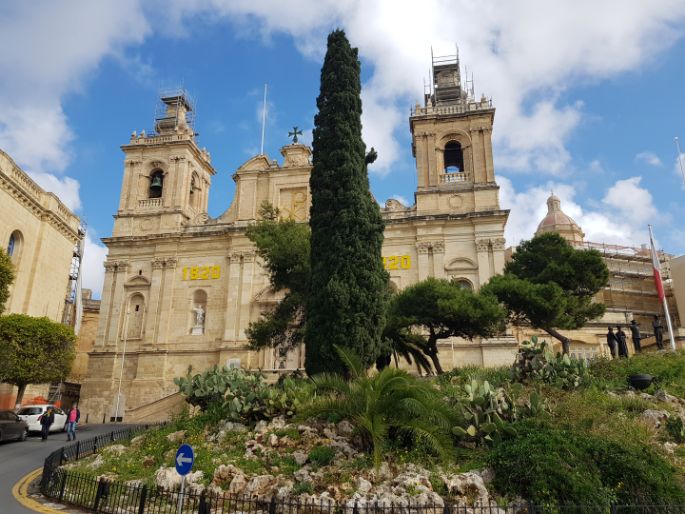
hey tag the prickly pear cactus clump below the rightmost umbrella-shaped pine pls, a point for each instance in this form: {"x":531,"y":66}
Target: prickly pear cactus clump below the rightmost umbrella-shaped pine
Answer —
{"x":536,"y":363}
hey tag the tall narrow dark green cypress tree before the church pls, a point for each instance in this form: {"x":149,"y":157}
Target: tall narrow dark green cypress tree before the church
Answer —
{"x":349,"y":287}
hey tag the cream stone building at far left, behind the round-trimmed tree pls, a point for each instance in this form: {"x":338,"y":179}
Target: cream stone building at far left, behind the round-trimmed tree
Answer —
{"x":45,"y":242}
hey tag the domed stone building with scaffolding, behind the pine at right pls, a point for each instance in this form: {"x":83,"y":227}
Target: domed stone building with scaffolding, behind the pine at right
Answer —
{"x":630,"y":295}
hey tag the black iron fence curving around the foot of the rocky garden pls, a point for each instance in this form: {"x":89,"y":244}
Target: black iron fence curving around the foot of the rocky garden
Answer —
{"x":103,"y":496}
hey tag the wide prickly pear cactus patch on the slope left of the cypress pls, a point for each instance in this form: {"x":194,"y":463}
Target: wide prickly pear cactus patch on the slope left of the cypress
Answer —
{"x":240,"y":395}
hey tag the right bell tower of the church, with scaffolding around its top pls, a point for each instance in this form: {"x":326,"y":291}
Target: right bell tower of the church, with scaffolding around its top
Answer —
{"x":451,"y":141}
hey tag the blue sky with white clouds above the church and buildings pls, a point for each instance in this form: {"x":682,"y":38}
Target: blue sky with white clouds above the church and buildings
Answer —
{"x":588,"y":96}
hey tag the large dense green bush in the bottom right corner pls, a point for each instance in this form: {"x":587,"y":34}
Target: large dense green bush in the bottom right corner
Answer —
{"x":557,"y":467}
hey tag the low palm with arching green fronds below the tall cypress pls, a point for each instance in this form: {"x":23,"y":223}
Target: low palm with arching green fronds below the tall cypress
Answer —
{"x":388,"y":402}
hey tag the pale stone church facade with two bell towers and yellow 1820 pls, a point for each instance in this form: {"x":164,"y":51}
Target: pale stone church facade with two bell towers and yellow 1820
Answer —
{"x":181,"y":287}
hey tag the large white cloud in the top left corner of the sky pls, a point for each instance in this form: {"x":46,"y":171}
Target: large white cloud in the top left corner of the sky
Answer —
{"x":50,"y":49}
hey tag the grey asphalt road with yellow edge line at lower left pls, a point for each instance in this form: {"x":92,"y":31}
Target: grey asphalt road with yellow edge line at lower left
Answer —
{"x":19,"y":458}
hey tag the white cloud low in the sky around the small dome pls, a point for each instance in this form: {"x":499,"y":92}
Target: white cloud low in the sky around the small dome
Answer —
{"x":620,"y":218}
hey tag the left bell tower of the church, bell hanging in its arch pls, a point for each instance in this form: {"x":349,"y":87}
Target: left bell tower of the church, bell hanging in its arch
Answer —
{"x":166,"y":175}
